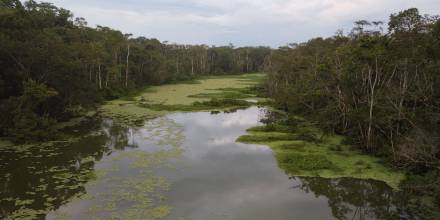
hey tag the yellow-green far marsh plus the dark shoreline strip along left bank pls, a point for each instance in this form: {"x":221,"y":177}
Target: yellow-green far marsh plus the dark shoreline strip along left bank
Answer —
{"x":207,"y":93}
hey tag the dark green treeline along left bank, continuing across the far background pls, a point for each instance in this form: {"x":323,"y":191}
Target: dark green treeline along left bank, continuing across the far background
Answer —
{"x":52,"y":65}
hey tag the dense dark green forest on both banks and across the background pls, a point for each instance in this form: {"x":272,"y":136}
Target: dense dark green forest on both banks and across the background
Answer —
{"x":377,"y":85}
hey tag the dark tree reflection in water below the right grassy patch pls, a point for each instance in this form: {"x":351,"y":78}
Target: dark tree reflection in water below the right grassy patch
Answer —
{"x":358,"y":199}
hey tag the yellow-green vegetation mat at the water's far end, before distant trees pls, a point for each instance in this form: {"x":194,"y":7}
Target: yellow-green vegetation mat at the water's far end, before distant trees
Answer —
{"x":213,"y":93}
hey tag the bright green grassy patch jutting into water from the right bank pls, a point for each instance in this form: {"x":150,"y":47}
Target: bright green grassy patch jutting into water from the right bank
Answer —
{"x":305,"y":151}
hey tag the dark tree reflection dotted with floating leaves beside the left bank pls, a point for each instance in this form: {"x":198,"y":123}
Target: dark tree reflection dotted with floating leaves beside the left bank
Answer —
{"x":38,"y":178}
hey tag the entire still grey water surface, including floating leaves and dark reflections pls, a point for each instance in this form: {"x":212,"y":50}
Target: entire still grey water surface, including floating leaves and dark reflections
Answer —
{"x":182,"y":166}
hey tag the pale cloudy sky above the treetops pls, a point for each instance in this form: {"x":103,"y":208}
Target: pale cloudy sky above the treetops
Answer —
{"x":241,"y":22}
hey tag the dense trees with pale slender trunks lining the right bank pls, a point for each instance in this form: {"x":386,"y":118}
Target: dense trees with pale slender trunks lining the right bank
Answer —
{"x":378,"y":88}
